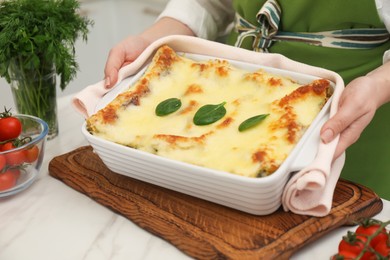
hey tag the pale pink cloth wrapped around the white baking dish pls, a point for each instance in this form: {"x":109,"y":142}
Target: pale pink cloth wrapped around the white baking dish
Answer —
{"x":312,"y":187}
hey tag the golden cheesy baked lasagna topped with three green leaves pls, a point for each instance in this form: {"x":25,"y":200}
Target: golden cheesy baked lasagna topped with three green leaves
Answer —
{"x":249,"y":120}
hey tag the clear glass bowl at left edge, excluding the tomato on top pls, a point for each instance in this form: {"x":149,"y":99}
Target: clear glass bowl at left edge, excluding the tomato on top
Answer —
{"x":20,"y":166}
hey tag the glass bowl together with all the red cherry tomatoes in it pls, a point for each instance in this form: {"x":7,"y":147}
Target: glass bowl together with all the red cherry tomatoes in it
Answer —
{"x":22,"y":146}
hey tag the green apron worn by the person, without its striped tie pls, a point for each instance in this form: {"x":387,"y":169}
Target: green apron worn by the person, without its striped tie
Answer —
{"x":368,"y":160}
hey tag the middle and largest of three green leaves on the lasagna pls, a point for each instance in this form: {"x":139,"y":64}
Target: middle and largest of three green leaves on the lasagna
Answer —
{"x":209,"y":114}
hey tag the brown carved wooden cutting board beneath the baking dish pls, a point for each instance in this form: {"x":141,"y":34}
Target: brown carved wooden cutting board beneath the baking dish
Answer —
{"x":202,"y":229}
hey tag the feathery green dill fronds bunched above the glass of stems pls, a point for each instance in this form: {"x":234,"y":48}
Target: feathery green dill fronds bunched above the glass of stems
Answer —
{"x":37,"y":34}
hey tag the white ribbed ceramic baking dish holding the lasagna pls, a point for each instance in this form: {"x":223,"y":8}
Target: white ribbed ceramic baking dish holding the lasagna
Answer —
{"x":259,"y":196}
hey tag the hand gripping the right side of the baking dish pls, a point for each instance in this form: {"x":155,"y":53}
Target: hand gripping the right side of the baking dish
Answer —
{"x":357,"y":107}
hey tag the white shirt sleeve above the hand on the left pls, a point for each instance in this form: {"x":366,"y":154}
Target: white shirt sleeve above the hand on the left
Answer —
{"x":208,"y":19}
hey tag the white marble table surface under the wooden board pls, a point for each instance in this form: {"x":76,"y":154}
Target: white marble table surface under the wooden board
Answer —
{"x":50,"y":220}
